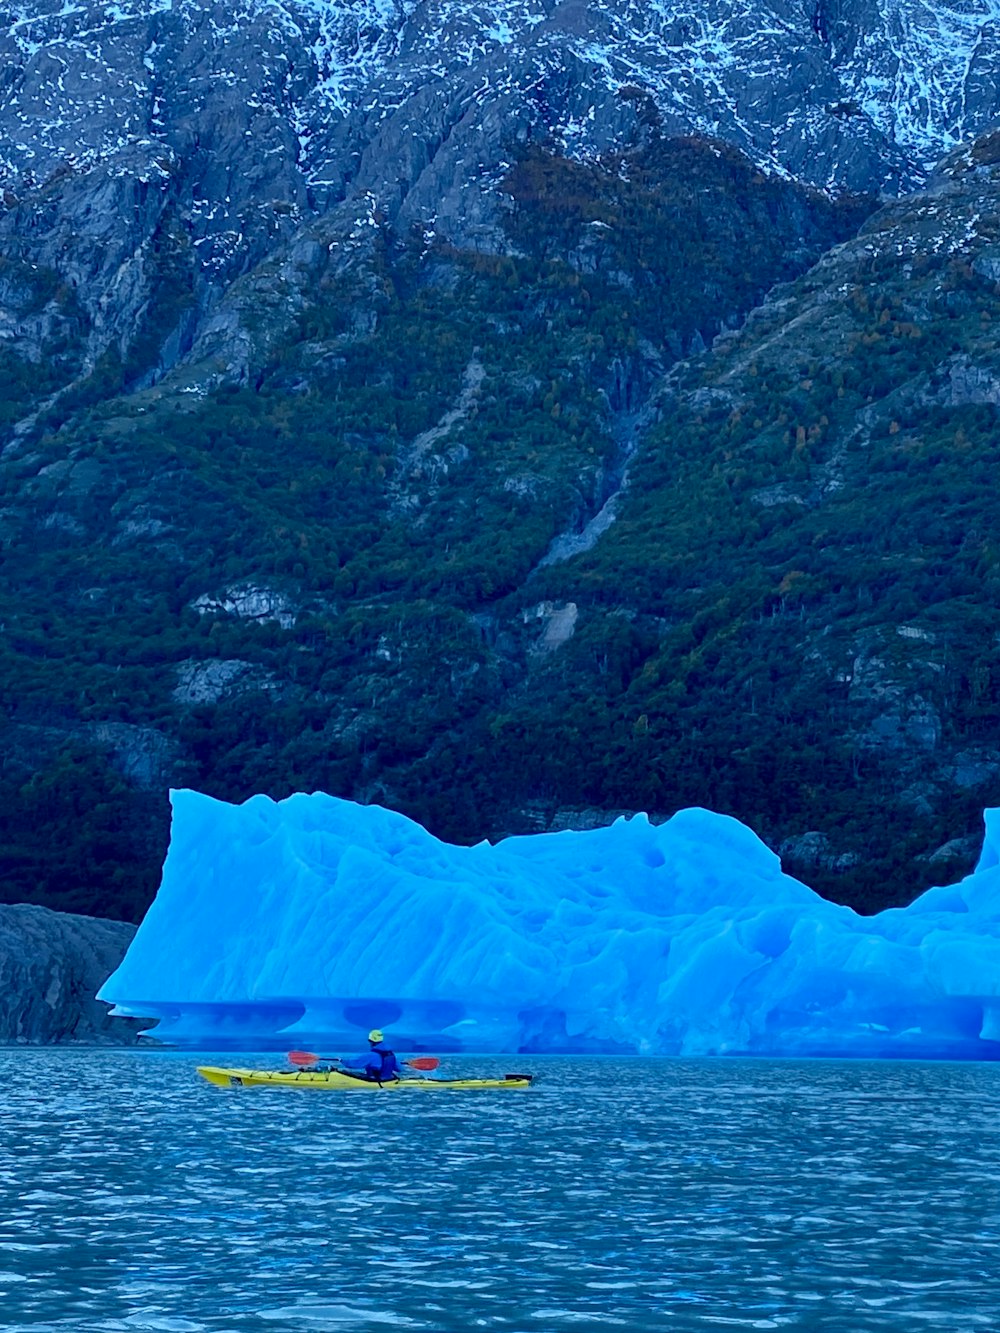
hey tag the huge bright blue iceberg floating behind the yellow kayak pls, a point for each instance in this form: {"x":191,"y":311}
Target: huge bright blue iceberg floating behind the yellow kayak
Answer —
{"x":309,"y":922}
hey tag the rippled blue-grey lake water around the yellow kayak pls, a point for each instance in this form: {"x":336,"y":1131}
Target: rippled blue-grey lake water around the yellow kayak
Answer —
{"x":637,"y":1195}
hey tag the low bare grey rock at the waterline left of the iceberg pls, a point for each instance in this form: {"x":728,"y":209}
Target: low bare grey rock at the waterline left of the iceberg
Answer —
{"x":51,"y":966}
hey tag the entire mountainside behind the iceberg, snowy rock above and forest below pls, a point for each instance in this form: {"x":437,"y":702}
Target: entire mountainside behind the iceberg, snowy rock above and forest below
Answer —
{"x":382,"y":414}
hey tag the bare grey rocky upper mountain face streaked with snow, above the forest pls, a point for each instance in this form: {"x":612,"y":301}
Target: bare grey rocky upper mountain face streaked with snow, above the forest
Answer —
{"x":153,"y":154}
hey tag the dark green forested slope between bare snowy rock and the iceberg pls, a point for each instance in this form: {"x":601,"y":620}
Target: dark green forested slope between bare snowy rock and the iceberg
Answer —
{"x":334,"y":575}
